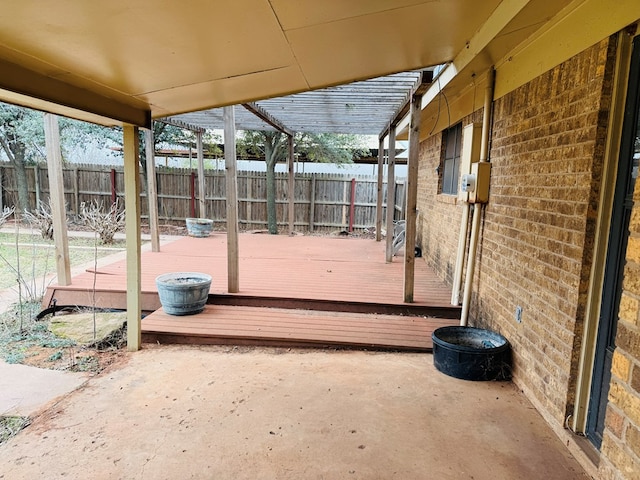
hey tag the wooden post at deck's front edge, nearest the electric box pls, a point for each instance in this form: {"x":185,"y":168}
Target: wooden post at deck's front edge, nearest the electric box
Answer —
{"x":411,"y":191}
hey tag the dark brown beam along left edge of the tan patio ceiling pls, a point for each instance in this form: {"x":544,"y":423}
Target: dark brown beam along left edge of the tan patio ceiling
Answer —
{"x":27,"y":82}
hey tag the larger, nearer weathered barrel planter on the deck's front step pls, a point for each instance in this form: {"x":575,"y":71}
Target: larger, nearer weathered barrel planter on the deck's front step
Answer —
{"x":183,"y":293}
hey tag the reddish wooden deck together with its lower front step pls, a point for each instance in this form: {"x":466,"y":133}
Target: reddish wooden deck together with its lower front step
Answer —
{"x":296,"y":291}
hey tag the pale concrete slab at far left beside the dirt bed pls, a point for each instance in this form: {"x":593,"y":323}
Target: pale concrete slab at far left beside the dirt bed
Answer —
{"x":25,"y":390}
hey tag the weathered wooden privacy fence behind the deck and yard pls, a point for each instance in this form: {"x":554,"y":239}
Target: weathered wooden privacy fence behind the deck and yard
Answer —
{"x":323,"y":202}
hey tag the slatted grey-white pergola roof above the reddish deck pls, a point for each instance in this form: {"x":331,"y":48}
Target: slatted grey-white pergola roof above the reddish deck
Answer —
{"x":364,"y":108}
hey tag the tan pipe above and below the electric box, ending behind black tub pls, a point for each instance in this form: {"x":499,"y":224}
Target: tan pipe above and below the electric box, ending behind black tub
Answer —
{"x":477,"y":208}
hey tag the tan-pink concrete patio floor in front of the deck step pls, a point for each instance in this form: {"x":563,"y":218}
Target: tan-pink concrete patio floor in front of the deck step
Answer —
{"x":178,"y":412}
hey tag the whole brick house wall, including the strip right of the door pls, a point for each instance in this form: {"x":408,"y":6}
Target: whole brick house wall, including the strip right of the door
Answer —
{"x":538,"y":243}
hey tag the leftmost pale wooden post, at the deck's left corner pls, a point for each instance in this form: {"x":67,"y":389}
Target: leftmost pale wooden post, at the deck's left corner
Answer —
{"x":56,"y":196}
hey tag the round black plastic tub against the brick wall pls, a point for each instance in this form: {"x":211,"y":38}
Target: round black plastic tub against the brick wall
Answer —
{"x":471,"y":353}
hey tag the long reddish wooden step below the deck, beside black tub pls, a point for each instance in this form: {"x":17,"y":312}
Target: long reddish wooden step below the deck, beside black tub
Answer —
{"x":242,"y":325}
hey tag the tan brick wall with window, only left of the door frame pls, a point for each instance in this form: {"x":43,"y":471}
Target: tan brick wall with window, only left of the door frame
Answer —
{"x":537,"y":231}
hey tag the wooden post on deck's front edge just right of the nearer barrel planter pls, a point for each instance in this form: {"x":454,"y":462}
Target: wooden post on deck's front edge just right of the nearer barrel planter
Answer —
{"x":232,"y":199}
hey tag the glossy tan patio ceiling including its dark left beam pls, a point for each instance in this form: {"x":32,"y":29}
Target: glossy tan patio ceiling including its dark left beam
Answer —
{"x":128,"y":62}
